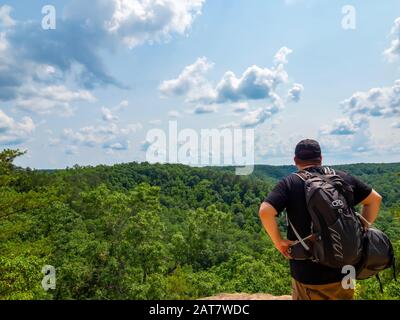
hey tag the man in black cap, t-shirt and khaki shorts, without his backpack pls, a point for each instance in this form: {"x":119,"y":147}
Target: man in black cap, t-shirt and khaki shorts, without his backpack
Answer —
{"x":310,"y":280}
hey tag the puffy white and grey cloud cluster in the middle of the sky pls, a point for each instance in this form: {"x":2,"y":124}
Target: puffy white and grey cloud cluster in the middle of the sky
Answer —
{"x":254,"y":84}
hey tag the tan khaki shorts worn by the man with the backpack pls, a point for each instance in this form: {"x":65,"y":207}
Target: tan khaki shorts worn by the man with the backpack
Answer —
{"x":331,"y":291}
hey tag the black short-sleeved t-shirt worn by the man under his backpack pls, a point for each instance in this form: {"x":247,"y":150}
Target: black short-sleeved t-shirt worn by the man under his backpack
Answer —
{"x":289,"y":194}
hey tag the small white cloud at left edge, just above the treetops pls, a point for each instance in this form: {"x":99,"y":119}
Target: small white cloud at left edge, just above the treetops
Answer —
{"x":13,"y":132}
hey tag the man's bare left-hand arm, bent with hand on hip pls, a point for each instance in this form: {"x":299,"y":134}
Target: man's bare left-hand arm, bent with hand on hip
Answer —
{"x":267,"y":215}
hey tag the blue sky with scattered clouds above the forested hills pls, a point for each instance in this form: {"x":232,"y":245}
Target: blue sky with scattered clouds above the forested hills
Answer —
{"x":89,"y":91}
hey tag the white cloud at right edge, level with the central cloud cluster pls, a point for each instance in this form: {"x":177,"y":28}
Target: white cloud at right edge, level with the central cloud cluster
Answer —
{"x":376,"y":102}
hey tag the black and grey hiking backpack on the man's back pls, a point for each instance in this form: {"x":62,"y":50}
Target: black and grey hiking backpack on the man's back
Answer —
{"x":338,"y":236}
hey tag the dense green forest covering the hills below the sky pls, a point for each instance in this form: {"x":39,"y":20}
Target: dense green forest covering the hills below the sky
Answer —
{"x":153,"y":231}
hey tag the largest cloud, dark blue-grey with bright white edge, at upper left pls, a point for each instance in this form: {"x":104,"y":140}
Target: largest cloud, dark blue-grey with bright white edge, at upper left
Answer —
{"x":72,"y":53}
